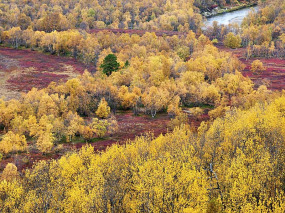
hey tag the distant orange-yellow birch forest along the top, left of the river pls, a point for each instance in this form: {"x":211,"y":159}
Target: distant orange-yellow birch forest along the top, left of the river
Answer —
{"x":47,"y":15}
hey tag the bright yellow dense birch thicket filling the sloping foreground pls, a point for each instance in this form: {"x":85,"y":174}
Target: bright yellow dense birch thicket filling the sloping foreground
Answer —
{"x":235,"y":164}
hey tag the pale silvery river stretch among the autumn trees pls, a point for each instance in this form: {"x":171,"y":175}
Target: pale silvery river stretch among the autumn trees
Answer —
{"x":231,"y":17}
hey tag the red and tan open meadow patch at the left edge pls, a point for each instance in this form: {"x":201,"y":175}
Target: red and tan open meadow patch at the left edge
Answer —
{"x":22,"y":70}
